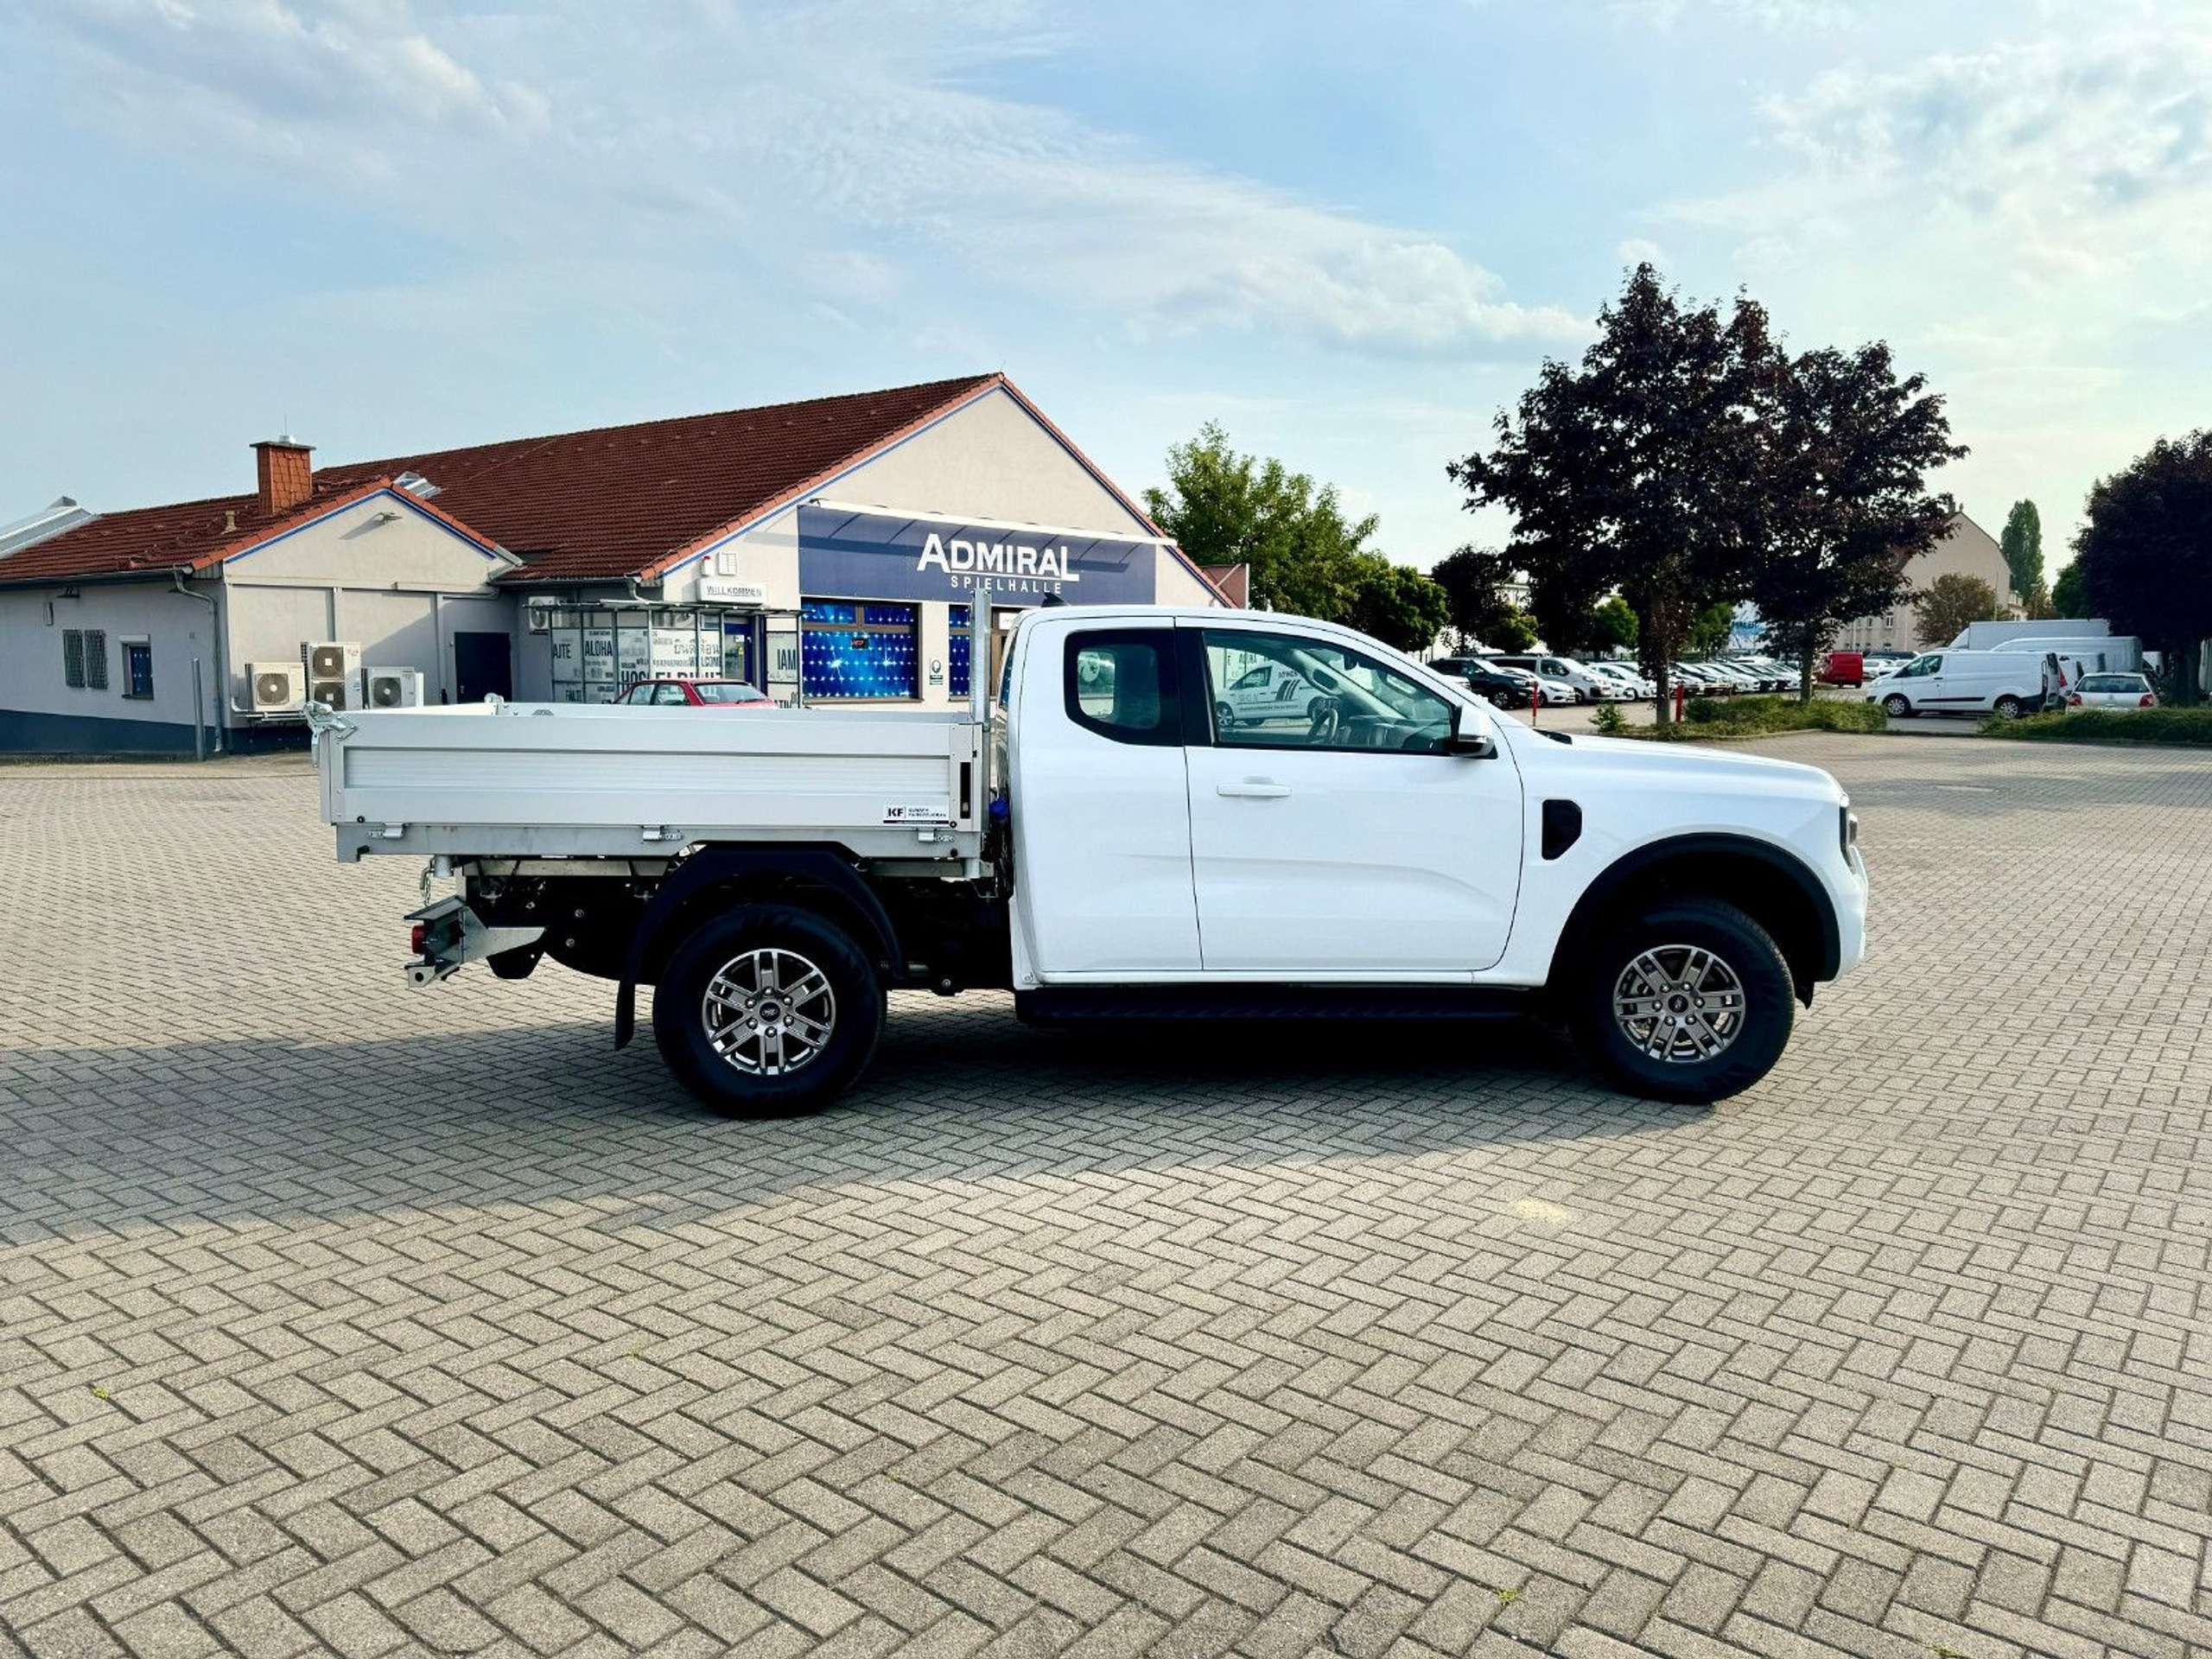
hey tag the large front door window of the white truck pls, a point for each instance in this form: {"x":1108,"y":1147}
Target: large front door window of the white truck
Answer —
{"x":1331,"y":698}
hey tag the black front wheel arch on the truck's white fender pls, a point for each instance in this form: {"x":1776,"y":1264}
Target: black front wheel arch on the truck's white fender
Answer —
{"x":1768,"y":884}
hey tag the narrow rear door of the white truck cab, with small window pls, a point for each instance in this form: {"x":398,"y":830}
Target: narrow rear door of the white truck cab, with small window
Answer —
{"x":1103,"y":820}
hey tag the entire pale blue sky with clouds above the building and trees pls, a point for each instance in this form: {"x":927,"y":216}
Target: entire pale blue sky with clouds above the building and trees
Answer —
{"x":1348,"y":233}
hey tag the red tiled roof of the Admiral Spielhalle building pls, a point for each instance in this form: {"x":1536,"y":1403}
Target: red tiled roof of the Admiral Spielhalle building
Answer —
{"x":578,"y":505}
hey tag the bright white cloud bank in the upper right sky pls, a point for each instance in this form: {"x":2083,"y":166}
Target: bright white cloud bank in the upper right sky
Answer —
{"x":2030,"y":220}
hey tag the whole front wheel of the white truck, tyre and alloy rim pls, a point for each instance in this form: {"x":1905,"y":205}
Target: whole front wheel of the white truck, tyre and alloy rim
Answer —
{"x":1691,"y":1003}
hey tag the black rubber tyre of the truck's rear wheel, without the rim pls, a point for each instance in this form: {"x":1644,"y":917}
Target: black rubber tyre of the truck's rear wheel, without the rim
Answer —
{"x":857,"y":1012}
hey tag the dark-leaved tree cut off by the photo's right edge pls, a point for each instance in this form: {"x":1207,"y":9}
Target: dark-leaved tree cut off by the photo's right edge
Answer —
{"x":2145,"y":554}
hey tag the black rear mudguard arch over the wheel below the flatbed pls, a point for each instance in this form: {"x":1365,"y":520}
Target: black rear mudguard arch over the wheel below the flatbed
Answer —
{"x":716,"y":879}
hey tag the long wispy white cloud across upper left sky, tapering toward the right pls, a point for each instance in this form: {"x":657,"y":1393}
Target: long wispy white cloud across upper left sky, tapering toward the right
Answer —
{"x":826,"y":143}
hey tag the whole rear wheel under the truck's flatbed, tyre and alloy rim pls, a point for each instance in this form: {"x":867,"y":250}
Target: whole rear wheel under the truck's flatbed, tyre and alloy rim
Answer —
{"x":769,"y":1012}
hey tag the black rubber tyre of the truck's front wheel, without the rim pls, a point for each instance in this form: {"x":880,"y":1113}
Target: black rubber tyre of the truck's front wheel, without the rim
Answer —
{"x":1768,"y":1003}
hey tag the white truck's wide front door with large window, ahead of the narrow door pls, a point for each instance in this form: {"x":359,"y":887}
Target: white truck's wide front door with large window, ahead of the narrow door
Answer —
{"x":1346,"y":846}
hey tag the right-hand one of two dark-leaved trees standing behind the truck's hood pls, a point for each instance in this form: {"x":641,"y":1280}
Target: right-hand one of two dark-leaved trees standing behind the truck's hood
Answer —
{"x":1850,"y":446}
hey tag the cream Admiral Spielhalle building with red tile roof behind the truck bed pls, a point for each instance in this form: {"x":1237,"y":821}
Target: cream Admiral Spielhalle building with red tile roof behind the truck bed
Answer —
{"x":824,"y":547}
